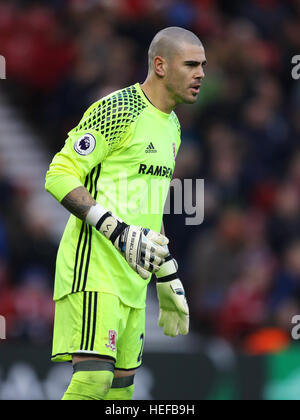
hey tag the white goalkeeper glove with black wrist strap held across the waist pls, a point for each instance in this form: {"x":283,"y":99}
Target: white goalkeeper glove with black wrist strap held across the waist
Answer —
{"x":141,"y":248}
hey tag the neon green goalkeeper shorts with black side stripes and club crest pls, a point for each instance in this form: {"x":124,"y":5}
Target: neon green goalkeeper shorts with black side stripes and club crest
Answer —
{"x":96,"y":323}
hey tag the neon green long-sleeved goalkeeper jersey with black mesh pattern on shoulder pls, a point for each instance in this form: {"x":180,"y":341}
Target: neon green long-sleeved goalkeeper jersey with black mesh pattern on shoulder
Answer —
{"x":123,"y":151}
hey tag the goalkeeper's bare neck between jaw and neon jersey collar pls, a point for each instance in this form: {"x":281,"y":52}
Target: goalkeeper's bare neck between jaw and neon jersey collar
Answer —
{"x":158,"y":95}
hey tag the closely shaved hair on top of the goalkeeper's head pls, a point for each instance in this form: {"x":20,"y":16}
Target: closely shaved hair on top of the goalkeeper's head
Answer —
{"x":168,"y":42}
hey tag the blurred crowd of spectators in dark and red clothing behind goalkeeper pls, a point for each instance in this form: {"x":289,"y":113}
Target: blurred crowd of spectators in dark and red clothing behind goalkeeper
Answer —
{"x":241,"y":266}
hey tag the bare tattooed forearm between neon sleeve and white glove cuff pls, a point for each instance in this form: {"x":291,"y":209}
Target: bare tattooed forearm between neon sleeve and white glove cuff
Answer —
{"x":78,"y":202}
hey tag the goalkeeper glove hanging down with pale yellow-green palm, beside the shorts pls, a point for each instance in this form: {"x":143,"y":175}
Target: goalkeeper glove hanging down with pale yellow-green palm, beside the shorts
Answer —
{"x":174,"y":311}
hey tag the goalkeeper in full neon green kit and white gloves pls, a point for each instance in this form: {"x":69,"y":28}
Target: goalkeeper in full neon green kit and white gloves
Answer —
{"x":113,"y":176}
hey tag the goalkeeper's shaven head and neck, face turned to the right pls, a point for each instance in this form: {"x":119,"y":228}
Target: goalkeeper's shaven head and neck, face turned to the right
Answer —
{"x":176,"y":68}
